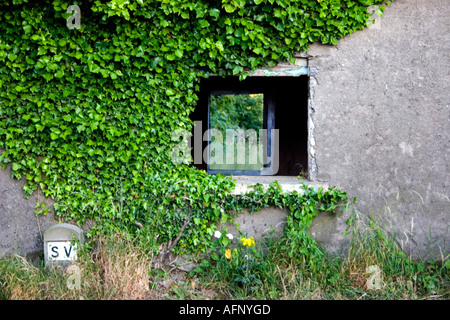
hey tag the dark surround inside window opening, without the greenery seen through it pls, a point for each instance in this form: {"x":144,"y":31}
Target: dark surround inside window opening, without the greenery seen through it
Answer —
{"x":290,"y":100}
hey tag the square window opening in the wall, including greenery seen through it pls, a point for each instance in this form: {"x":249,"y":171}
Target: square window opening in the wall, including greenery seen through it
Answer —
{"x":257,"y":126}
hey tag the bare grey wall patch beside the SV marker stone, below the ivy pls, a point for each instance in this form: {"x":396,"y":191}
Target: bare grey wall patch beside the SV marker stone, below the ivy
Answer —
{"x":21,"y":232}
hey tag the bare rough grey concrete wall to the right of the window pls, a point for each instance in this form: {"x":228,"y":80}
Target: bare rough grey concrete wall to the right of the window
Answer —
{"x":380,"y":108}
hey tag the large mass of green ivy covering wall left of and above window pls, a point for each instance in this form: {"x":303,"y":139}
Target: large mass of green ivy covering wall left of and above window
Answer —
{"x":87,"y":114}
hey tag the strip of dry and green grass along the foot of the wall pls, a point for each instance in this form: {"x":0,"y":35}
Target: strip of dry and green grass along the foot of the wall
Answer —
{"x":119,"y":268}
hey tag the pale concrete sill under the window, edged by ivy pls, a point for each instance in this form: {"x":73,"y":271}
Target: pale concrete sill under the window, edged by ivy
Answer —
{"x":287,"y":183}
